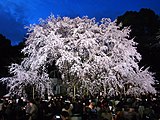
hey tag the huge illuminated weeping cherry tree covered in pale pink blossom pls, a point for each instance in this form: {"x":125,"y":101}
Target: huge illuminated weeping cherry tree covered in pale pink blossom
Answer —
{"x":91,"y":56}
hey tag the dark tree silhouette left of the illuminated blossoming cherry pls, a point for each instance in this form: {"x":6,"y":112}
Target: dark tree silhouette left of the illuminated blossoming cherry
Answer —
{"x":8,"y":54}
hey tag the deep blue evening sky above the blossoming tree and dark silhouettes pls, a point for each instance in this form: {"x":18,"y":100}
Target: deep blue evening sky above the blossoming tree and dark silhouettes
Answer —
{"x":16,"y":14}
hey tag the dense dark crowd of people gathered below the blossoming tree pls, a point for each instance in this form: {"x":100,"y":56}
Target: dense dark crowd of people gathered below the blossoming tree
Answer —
{"x":81,"y":108}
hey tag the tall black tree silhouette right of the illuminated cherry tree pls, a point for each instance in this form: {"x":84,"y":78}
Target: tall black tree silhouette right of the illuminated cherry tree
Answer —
{"x":144,"y":25}
